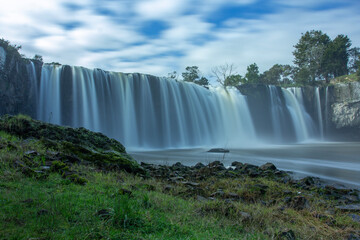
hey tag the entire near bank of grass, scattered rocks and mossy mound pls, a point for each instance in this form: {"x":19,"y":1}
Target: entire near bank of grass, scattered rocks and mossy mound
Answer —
{"x":63,"y":183}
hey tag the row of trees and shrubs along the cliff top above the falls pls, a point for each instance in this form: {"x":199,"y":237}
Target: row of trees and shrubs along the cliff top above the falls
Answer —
{"x":317,"y":60}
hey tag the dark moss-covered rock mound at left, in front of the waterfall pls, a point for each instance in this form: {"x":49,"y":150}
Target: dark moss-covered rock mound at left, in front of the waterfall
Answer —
{"x":78,"y":143}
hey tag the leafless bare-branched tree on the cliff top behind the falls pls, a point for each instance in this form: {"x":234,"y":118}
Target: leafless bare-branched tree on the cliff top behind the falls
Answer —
{"x":223,"y":72}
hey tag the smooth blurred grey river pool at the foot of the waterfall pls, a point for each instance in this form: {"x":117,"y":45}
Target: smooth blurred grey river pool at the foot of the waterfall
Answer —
{"x":334,"y":162}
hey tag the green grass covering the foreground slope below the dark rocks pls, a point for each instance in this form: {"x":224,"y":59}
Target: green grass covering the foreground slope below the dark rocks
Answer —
{"x":84,"y":201}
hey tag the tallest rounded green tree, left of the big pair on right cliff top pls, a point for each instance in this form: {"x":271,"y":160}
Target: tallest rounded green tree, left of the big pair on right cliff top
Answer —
{"x":309,"y":53}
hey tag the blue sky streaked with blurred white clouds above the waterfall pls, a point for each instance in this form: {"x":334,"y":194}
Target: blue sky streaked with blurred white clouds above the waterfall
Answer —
{"x":161,"y":36}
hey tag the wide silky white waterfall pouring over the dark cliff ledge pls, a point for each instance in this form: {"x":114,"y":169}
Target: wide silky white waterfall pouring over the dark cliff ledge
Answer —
{"x":147,"y":112}
